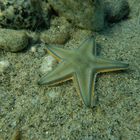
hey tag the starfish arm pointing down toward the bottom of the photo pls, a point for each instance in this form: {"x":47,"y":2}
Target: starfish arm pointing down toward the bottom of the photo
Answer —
{"x":85,"y":85}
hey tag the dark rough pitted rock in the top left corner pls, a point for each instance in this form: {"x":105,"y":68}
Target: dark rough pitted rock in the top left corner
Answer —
{"x":24,"y":14}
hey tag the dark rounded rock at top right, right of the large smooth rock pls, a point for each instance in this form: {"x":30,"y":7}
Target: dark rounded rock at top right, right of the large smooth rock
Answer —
{"x":116,"y":10}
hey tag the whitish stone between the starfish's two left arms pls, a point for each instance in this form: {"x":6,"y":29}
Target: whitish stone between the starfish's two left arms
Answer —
{"x":47,"y":64}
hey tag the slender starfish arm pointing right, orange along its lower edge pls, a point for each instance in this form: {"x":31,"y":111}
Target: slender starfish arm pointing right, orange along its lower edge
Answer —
{"x":105,"y":65}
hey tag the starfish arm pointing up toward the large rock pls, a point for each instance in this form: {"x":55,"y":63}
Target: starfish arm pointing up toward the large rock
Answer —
{"x":88,"y":46}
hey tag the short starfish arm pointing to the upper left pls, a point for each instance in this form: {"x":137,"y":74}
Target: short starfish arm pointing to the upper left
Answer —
{"x":59,"y":53}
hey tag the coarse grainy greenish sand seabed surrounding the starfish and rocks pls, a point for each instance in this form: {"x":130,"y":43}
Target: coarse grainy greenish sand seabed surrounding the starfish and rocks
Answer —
{"x":42,"y":113}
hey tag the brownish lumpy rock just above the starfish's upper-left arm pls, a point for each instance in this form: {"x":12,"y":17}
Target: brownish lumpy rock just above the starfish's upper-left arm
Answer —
{"x":59,"y":32}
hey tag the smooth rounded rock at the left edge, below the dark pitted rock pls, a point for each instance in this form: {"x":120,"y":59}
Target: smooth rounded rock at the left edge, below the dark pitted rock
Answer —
{"x":12,"y":40}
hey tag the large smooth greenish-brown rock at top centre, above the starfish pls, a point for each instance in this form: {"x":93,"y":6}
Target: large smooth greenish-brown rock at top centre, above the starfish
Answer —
{"x":88,"y":14}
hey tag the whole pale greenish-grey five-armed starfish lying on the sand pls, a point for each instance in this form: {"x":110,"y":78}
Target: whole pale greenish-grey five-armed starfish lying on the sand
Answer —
{"x":81,"y":65}
